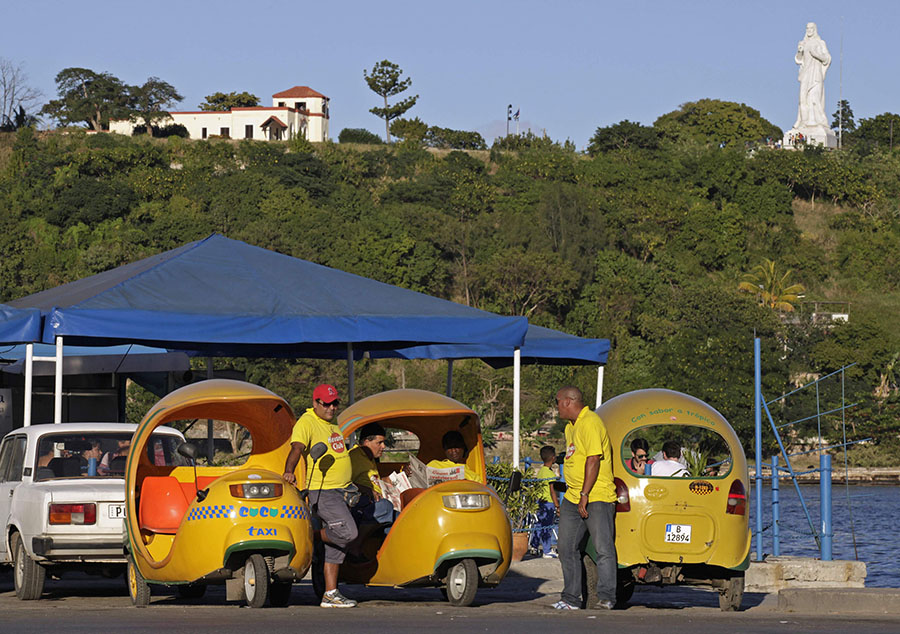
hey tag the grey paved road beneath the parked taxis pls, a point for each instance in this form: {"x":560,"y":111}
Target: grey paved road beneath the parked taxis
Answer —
{"x":522,"y":603}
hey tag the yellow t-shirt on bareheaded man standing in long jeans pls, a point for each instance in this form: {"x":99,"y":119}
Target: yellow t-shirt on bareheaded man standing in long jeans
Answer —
{"x":587,"y":437}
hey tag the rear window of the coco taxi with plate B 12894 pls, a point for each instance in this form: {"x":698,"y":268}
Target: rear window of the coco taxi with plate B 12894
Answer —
{"x":700,"y":452}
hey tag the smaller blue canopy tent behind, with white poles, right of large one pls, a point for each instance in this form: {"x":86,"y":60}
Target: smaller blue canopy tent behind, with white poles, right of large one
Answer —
{"x":542,"y":345}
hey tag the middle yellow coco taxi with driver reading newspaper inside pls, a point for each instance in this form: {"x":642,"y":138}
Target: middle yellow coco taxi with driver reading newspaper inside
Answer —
{"x":454,"y":535}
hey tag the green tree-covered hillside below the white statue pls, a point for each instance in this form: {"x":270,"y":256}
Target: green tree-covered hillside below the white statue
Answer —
{"x":643,"y":241}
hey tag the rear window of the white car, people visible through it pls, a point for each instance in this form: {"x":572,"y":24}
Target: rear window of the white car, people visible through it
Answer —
{"x":98,"y":454}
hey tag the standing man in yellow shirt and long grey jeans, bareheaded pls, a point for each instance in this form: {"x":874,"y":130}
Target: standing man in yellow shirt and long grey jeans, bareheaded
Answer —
{"x":589,"y":505}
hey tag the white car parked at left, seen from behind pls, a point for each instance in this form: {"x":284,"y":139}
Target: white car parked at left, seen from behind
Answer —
{"x":62,"y":498}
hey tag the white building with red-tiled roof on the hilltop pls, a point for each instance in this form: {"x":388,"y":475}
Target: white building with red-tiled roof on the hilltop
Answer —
{"x":298,"y":111}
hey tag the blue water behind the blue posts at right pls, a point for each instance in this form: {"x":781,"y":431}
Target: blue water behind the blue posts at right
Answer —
{"x":875,"y":513}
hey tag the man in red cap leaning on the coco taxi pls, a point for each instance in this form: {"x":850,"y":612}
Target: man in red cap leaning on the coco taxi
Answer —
{"x":326,"y":484}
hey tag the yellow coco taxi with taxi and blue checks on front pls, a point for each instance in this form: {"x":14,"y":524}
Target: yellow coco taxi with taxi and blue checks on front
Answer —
{"x":190,"y":526}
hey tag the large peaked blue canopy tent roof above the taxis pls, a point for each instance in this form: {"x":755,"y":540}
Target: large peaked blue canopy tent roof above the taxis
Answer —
{"x":222,"y":297}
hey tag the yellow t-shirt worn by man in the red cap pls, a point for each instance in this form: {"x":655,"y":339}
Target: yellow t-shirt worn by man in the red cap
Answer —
{"x":335,"y":464}
